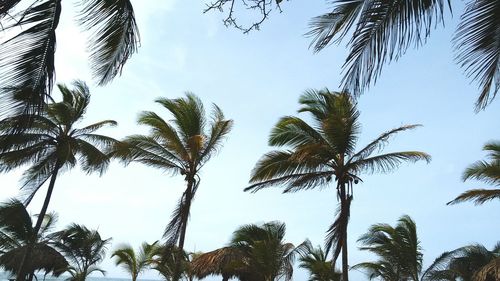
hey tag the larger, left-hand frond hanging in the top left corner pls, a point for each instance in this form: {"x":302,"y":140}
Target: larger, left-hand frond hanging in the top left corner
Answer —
{"x":27,"y":61}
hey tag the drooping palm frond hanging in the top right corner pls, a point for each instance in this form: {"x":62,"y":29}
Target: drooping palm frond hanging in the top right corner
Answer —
{"x":477,"y":46}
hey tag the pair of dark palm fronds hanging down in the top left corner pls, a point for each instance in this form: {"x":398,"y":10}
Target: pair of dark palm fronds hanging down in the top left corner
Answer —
{"x":27,"y":70}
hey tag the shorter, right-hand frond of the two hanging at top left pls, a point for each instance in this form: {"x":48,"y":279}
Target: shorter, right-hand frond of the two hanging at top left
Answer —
{"x":115,"y":36}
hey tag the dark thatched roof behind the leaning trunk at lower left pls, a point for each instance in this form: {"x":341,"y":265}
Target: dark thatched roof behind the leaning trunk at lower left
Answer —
{"x":43,"y":257}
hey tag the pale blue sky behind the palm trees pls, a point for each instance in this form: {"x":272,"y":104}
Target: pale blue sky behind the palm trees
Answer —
{"x":256,"y":79}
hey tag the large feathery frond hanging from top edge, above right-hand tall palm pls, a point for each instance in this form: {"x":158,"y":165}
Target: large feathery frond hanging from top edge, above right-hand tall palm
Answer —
{"x":384,"y":32}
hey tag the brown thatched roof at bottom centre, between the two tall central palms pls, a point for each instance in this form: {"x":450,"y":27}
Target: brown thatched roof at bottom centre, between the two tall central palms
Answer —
{"x":225,"y":261}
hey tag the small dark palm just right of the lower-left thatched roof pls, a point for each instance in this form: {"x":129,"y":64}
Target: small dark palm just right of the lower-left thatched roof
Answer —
{"x":84,"y":248}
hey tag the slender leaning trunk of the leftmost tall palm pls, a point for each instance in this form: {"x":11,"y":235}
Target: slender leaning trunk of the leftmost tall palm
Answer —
{"x":21,"y":273}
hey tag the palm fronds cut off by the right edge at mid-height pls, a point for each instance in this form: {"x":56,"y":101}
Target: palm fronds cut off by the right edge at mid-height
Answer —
{"x":488,"y":172}
